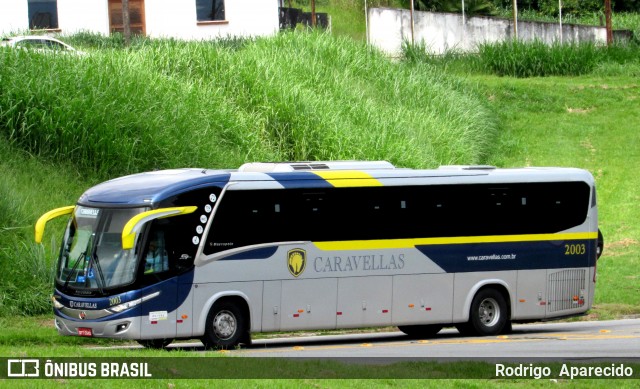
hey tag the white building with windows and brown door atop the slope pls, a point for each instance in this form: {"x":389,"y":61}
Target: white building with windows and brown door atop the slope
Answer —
{"x":183,"y":19}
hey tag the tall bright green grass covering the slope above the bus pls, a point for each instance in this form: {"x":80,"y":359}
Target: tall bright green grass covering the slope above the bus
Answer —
{"x":290,"y":97}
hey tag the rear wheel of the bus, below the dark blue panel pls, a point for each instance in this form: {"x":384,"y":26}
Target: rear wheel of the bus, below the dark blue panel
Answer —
{"x":488,"y":315}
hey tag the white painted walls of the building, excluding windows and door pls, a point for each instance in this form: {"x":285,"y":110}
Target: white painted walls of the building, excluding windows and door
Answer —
{"x":163,"y":18}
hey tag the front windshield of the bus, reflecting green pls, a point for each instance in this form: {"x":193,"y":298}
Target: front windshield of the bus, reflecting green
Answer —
{"x":92,"y":256}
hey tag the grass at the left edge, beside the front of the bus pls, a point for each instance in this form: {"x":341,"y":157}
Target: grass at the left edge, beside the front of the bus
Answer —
{"x":28,"y":188}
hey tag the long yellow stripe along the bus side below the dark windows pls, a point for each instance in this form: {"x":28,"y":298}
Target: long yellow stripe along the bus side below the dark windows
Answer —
{"x":411,"y":243}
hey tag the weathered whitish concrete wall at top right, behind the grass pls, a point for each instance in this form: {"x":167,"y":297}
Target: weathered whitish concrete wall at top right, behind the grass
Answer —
{"x":440,"y":32}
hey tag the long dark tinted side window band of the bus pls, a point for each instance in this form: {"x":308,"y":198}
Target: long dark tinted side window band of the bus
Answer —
{"x":247,"y":217}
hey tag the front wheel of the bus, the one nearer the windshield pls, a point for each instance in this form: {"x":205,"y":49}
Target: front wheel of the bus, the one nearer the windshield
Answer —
{"x":226,"y":326}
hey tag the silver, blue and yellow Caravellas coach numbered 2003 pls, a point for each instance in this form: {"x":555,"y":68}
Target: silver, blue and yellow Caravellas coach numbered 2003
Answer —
{"x":220,"y":254}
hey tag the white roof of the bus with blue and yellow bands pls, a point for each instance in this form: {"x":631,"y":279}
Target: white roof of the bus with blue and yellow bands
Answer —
{"x":151,"y":187}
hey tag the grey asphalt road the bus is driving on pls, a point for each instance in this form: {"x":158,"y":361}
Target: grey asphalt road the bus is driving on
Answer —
{"x":564,"y":340}
